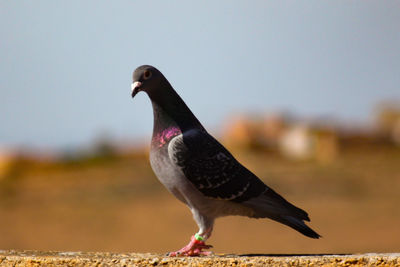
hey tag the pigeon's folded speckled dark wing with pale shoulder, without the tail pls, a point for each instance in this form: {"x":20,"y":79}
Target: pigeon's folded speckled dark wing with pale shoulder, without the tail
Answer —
{"x":212,"y":169}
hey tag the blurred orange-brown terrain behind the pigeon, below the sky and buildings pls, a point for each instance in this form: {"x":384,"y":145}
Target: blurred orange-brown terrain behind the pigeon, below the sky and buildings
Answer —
{"x":113,"y":202}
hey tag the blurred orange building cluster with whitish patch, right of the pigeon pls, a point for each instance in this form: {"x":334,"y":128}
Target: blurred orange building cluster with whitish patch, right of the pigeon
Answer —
{"x":282,"y":134}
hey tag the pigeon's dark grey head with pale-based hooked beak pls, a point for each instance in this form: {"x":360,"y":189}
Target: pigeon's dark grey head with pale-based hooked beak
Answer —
{"x":146,"y":78}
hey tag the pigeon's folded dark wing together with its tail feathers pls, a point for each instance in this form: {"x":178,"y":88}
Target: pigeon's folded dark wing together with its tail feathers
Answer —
{"x":217,"y":174}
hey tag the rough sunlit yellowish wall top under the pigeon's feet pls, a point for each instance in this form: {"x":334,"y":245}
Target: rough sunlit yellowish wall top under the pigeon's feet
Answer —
{"x":37,"y":258}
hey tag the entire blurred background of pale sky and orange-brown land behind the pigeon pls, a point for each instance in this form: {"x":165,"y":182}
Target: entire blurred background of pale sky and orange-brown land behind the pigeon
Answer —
{"x":305,"y":94}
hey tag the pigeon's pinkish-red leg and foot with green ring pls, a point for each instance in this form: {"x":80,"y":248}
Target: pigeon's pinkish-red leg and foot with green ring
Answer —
{"x":195,"y":246}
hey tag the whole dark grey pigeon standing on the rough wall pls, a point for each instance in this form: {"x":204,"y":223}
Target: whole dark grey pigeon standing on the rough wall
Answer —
{"x":200,"y":172}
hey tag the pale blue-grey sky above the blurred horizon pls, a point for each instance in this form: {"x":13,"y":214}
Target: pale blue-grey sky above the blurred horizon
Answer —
{"x":65,"y":66}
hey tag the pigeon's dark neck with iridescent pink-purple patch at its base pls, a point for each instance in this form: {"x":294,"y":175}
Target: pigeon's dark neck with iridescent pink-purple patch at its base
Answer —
{"x":171,"y":116}
